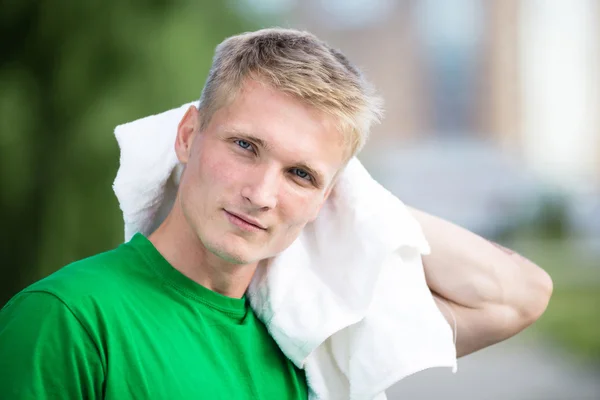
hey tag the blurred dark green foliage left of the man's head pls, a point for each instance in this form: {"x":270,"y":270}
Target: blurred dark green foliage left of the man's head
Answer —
{"x":70,"y":71}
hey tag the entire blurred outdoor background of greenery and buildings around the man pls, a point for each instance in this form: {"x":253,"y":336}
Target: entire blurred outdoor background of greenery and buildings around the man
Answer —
{"x":492,"y":122}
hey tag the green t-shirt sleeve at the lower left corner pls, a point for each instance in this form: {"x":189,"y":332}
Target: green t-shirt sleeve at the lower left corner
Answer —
{"x":45,"y":352}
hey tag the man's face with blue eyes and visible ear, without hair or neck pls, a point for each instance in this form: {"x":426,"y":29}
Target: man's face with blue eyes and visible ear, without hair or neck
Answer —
{"x":257,"y":174}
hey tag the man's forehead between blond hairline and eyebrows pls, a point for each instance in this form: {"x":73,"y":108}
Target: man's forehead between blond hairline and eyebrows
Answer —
{"x":290,"y":129}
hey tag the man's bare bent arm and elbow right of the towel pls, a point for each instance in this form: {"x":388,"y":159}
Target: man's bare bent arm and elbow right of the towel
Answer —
{"x":493,"y":292}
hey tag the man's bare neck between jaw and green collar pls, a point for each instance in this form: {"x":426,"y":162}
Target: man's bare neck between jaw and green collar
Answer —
{"x":182,"y":248}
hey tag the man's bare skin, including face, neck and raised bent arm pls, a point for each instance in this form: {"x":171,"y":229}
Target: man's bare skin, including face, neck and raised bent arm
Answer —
{"x":271,"y":160}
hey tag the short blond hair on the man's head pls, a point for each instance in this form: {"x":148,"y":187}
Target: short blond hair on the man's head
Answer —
{"x":300,"y":64}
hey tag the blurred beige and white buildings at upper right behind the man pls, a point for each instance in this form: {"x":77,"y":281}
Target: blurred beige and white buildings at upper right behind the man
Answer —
{"x":525,"y":74}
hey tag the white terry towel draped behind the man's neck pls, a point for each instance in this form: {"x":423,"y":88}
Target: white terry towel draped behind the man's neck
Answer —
{"x":347,"y":301}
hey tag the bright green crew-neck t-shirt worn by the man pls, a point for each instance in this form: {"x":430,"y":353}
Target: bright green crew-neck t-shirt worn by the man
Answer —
{"x":126,"y":325}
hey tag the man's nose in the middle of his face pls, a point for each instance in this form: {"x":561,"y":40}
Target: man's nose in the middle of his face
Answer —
{"x":262,"y":188}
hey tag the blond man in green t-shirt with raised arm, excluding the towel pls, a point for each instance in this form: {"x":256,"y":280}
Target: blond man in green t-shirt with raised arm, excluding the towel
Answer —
{"x":166,"y":317}
